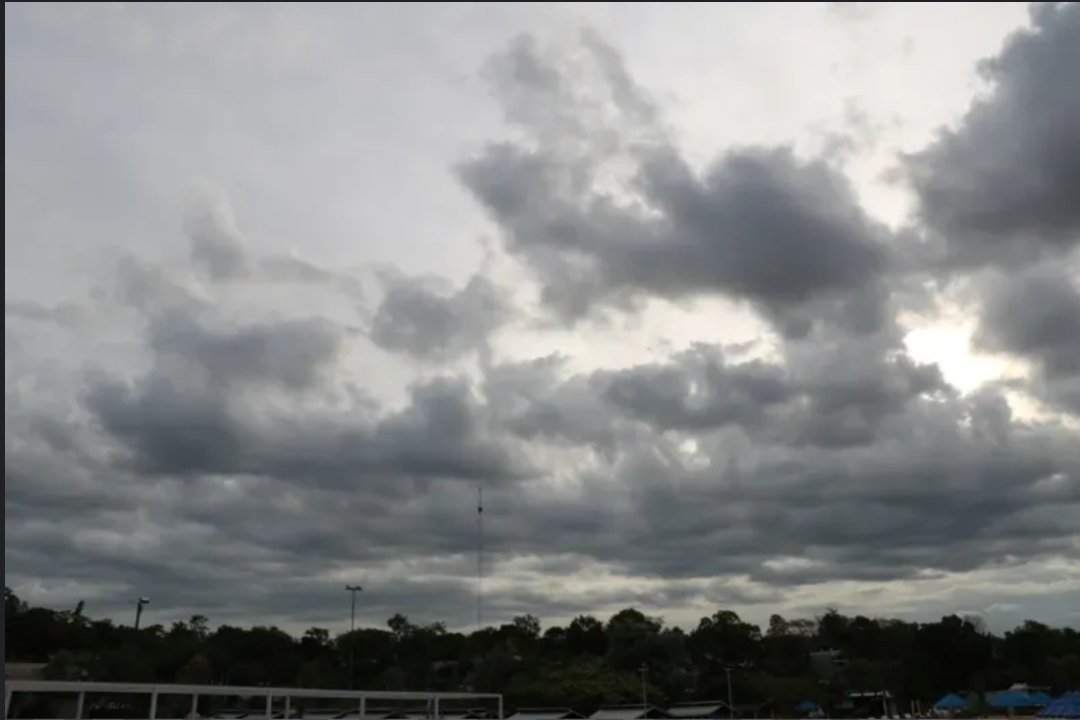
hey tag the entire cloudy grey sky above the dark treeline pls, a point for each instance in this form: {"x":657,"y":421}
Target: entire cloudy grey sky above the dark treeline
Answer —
{"x":763,"y":307}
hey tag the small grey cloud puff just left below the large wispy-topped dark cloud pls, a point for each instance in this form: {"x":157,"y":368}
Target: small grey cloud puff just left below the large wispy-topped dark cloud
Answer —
{"x":424,"y":318}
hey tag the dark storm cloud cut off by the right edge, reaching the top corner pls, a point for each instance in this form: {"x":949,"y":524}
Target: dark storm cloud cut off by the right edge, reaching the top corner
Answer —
{"x":1001,"y":194}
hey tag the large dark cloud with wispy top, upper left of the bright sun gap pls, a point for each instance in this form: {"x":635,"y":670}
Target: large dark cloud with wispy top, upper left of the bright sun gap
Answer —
{"x":785,"y":234}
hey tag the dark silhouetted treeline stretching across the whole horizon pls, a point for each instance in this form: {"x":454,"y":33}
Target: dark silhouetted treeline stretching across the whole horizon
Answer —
{"x":584,"y":665}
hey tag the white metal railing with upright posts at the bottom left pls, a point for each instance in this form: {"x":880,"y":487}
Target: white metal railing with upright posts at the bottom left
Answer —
{"x":283,"y":696}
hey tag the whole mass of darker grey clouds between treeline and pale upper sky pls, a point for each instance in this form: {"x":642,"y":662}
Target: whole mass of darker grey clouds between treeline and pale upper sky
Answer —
{"x":219,"y":431}
